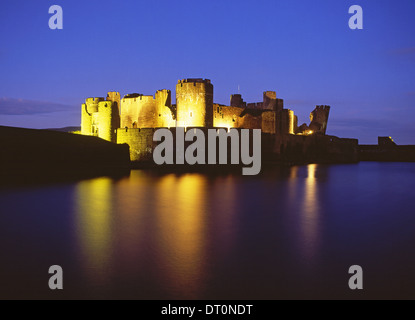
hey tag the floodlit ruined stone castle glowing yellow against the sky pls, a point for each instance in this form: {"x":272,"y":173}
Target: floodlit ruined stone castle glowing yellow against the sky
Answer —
{"x":134,"y":118}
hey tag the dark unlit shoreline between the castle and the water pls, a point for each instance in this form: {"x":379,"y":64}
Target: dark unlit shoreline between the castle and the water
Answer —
{"x":33,"y":156}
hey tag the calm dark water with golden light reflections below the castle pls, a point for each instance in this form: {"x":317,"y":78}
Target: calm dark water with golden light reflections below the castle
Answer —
{"x":292,"y":232}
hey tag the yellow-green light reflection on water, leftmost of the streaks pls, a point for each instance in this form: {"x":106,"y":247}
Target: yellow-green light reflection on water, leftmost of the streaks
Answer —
{"x":93,"y":226}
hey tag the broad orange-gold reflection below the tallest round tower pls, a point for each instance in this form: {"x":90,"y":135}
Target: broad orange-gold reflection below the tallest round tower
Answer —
{"x":181,"y":220}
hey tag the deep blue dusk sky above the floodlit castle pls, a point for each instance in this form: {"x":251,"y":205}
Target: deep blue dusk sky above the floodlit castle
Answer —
{"x":302,"y":49}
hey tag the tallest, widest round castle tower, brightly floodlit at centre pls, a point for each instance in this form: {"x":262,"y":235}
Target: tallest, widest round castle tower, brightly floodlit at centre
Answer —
{"x":194,"y":103}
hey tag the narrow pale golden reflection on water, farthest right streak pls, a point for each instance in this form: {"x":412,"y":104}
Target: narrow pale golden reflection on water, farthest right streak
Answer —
{"x":309,"y":219}
